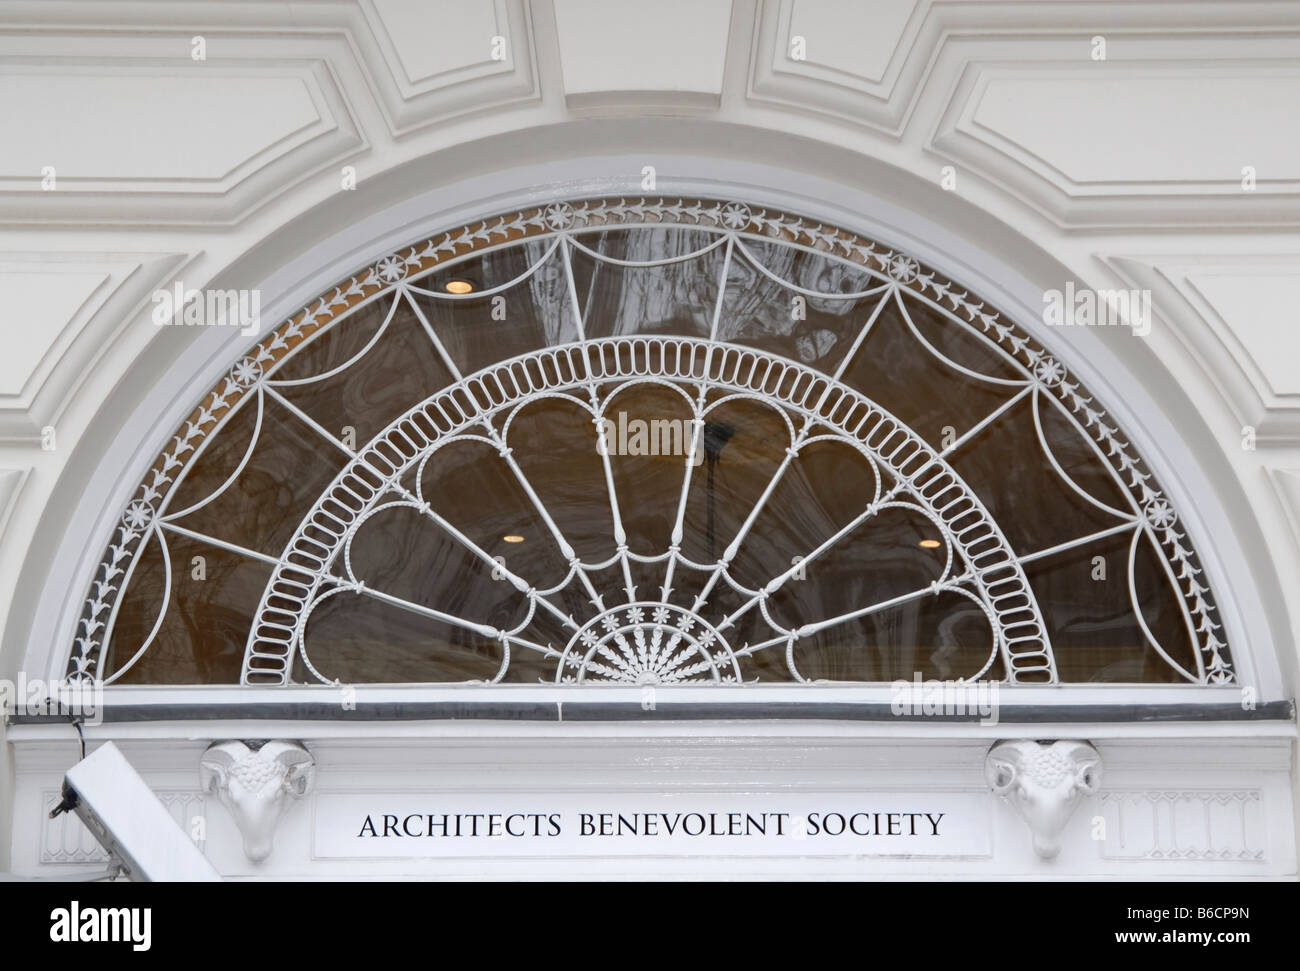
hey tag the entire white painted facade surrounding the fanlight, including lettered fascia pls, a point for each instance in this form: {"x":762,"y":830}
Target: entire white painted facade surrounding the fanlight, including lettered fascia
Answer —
{"x":229,"y":172}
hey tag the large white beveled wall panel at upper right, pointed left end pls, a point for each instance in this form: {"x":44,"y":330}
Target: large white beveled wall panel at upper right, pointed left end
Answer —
{"x":1123,"y":155}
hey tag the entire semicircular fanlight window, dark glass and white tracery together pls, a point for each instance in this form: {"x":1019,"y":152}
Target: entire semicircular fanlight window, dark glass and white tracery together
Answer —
{"x":649,"y":443}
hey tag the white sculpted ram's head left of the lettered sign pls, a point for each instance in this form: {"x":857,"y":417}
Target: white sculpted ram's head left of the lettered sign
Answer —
{"x":257,"y":782}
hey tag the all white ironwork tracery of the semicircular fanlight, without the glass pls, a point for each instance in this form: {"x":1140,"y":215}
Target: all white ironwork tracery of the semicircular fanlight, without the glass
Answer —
{"x":638,"y":639}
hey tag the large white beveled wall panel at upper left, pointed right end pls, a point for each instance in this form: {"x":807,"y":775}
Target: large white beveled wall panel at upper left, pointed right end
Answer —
{"x":209,"y":167}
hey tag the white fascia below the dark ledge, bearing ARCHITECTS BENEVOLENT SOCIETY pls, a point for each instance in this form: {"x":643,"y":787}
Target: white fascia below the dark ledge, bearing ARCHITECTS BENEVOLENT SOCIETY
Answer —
{"x":1212,"y":808}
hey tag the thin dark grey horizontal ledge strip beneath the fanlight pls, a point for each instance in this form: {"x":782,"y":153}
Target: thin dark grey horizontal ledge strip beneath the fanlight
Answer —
{"x":605,"y":712}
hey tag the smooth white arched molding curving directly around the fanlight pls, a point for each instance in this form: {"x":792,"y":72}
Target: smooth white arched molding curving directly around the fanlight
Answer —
{"x":81,"y":513}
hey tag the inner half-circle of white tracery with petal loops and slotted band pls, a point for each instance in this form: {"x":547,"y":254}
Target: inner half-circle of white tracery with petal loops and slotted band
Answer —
{"x":921,"y":476}
